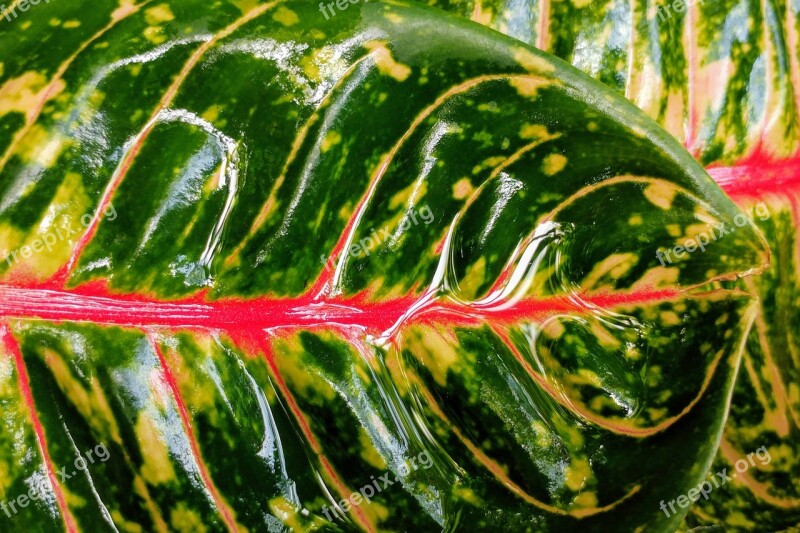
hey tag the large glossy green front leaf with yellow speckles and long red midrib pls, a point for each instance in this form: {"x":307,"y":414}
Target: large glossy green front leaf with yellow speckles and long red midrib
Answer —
{"x":297,"y":255}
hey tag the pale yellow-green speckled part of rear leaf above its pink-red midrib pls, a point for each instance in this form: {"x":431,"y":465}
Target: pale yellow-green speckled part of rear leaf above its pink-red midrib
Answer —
{"x":722,"y":76}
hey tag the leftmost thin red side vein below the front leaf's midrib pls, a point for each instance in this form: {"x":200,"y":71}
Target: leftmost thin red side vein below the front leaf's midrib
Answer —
{"x":12,"y":347}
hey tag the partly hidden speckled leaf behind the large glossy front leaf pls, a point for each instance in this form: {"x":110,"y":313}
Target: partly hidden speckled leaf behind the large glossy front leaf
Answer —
{"x":722,"y":77}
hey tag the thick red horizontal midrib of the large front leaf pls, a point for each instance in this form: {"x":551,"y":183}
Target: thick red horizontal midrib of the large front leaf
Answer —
{"x":266,"y":313}
